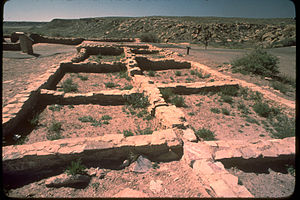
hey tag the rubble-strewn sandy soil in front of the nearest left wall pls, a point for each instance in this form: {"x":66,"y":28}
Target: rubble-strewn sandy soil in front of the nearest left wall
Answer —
{"x":173,"y":176}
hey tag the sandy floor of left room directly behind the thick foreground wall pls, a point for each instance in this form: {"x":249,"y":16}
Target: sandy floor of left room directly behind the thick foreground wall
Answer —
{"x":73,"y":127}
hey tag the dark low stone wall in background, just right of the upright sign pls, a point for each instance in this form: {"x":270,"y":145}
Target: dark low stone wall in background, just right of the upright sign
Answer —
{"x":55,"y":40}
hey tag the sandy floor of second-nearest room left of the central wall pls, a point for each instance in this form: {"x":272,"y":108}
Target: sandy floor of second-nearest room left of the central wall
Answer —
{"x":95,"y":81}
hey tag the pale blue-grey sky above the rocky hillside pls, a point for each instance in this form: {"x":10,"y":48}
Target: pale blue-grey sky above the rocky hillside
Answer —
{"x":46,"y":10}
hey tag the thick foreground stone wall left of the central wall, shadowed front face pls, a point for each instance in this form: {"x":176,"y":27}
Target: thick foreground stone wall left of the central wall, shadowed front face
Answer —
{"x":50,"y":157}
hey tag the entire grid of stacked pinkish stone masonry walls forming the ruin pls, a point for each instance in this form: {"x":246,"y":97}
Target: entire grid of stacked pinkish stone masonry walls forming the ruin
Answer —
{"x":206,"y":158}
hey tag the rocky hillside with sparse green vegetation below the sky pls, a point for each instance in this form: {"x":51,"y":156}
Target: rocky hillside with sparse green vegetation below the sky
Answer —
{"x":228,"y":32}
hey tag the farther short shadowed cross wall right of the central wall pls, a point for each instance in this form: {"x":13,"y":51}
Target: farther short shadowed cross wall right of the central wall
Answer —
{"x":161,"y":64}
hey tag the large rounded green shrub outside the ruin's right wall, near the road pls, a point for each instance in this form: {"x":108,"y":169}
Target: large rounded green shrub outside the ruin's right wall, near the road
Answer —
{"x":257,"y":62}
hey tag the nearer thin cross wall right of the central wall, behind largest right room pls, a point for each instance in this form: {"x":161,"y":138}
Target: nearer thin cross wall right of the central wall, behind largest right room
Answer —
{"x":193,"y":88}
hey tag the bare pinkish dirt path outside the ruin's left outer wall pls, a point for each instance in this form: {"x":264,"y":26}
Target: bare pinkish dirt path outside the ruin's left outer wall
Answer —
{"x":18,"y":68}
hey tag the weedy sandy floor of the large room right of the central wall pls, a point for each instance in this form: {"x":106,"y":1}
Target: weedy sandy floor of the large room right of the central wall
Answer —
{"x":226,"y":127}
